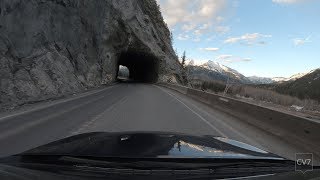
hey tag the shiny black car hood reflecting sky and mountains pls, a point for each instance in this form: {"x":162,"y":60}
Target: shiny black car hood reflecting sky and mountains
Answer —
{"x":150,"y":145}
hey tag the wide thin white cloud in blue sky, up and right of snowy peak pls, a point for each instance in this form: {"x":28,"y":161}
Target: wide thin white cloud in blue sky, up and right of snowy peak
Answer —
{"x":248,"y":39}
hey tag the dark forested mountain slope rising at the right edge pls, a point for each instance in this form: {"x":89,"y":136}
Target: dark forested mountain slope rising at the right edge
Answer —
{"x":305,"y":87}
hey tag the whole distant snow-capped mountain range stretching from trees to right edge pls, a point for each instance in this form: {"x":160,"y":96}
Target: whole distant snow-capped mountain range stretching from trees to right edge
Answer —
{"x":301,"y":85}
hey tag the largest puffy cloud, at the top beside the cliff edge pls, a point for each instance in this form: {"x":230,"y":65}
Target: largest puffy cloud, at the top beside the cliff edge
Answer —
{"x":195,"y":17}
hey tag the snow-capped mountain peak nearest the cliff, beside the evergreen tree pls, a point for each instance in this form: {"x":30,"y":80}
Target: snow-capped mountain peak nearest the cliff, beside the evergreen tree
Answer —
{"x":215,"y":71}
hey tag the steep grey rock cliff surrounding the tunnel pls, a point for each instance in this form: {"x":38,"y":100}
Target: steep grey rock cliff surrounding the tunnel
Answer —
{"x":53,"y":47}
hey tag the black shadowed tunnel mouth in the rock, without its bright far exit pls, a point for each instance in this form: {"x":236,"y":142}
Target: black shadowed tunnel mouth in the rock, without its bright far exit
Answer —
{"x":142,"y":67}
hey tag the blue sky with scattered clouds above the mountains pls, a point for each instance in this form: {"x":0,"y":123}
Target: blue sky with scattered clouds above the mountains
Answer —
{"x":266,"y":38}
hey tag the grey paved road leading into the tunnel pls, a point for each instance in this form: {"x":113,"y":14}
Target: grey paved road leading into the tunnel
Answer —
{"x":127,"y":107}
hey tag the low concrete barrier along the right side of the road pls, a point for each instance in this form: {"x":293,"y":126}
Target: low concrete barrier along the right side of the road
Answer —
{"x":297,"y":130}
